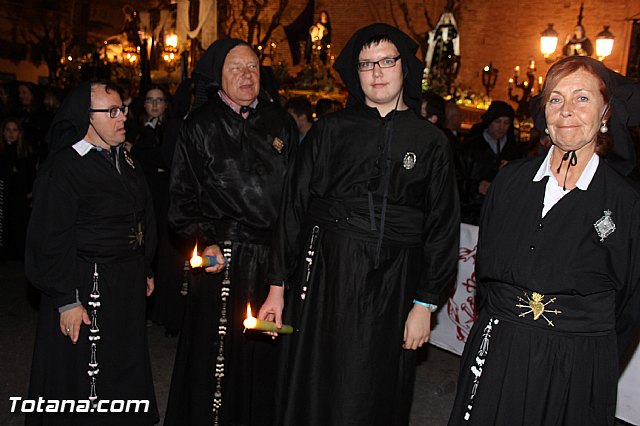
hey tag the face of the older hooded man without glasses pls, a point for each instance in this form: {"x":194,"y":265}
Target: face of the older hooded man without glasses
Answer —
{"x":241,"y":75}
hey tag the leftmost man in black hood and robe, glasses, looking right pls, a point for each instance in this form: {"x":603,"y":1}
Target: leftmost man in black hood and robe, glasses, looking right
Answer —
{"x":90,"y":242}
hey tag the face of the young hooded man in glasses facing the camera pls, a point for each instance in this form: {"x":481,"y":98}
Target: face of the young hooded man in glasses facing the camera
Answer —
{"x":381,"y":86}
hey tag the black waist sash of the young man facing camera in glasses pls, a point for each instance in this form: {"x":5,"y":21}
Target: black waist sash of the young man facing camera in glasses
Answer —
{"x":403,"y":225}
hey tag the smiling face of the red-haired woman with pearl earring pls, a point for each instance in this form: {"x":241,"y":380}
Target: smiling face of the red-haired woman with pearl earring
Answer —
{"x":574,"y":111}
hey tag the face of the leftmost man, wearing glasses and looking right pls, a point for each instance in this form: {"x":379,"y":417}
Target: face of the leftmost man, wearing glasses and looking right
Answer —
{"x":105,"y":131}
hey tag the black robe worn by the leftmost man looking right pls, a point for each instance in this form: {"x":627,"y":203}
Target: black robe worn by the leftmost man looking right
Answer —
{"x":85,"y":214}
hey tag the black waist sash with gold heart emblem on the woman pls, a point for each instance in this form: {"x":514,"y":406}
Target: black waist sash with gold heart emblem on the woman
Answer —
{"x":591,"y":314}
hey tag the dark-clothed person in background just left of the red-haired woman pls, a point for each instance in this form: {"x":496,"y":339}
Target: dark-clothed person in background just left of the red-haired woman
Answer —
{"x":485,"y":151}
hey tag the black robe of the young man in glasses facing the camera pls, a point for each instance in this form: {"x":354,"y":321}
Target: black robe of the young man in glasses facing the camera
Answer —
{"x":345,"y":364}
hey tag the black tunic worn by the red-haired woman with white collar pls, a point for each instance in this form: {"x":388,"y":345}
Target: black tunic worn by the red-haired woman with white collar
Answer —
{"x":535,"y":373}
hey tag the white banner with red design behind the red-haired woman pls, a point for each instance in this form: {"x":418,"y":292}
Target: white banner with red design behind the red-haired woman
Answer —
{"x":453,"y":324}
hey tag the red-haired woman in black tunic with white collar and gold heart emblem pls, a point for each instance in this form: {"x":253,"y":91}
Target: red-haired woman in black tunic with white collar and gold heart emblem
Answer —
{"x":557,"y":263}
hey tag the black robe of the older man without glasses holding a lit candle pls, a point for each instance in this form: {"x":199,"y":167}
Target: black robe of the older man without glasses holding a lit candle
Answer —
{"x":226,"y":184}
